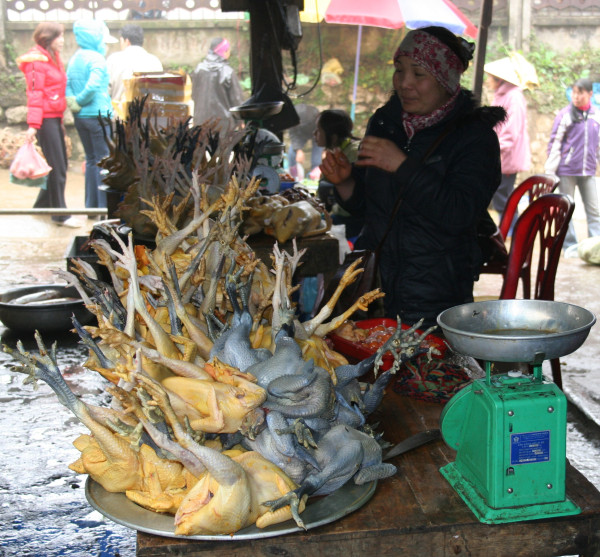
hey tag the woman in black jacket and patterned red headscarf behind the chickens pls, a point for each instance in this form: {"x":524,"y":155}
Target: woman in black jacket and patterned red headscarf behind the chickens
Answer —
{"x":428,"y":167}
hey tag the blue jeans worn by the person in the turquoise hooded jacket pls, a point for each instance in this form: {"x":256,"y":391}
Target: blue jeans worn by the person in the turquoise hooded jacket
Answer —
{"x":95,"y":147}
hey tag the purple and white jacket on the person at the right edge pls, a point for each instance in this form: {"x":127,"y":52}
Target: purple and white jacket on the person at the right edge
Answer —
{"x":573,"y":145}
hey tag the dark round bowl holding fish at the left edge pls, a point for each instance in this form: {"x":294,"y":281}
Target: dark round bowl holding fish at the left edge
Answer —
{"x":51,"y":317}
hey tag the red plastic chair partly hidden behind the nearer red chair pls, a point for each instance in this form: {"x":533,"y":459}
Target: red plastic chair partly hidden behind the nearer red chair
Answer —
{"x":536,"y":186}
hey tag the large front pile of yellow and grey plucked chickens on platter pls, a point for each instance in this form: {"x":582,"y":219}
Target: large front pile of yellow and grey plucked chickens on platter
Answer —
{"x":226,"y":411}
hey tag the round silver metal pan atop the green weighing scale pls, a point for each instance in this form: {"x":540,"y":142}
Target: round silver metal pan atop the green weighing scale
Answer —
{"x":528,"y":331}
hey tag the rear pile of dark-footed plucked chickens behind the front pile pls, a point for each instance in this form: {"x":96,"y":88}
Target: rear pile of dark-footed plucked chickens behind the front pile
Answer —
{"x":145,"y":160}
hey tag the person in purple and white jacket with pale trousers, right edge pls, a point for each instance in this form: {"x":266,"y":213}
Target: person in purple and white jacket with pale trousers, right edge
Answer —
{"x":573,"y":154}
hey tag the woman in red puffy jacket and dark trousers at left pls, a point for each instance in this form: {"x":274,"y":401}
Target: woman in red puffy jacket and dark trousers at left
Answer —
{"x":46,"y":103}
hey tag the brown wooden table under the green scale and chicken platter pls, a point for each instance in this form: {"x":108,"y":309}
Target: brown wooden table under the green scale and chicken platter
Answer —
{"x":417,"y":513}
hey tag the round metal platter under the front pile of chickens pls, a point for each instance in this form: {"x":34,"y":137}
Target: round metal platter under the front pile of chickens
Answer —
{"x":319,"y":511}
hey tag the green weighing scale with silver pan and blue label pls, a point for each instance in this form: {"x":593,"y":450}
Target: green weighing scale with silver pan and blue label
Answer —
{"x":509,"y":430}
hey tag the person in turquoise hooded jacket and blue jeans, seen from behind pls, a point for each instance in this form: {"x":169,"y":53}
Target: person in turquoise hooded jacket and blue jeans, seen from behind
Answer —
{"x":89,"y":100}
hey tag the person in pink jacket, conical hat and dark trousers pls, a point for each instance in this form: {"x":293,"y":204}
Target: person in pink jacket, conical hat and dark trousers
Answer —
{"x":515,"y":152}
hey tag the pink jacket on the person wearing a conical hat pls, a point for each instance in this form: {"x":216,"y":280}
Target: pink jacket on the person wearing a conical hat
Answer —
{"x":515,"y":152}
